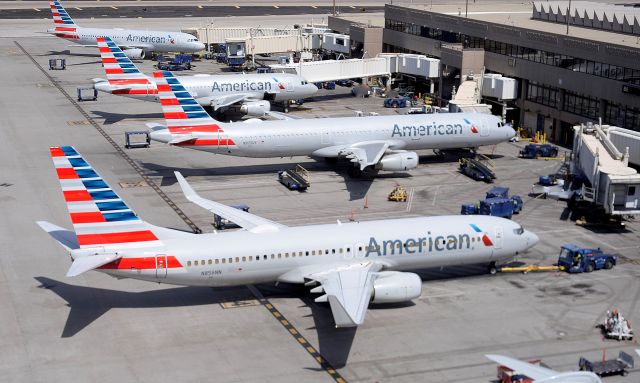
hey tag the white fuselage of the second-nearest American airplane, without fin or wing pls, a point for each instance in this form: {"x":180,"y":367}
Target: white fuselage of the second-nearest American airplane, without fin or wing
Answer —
{"x":324,"y":136}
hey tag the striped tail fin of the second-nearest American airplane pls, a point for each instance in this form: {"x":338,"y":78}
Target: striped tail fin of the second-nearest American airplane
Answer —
{"x":183,"y":113}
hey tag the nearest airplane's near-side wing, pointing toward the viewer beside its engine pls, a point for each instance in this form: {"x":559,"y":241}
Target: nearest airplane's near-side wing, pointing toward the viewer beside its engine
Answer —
{"x":348,"y":290}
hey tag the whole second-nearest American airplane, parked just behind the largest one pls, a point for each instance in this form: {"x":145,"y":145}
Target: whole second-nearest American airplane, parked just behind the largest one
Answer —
{"x":371,"y":143}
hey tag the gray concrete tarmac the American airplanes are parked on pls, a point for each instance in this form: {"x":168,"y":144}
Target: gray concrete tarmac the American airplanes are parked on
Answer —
{"x":96,"y":328}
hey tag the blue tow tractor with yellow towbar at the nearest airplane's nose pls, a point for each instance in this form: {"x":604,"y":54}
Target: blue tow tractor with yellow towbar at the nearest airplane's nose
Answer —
{"x":575,"y":259}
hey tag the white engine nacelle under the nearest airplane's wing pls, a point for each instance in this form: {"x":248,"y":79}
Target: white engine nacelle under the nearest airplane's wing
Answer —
{"x":395,"y":286}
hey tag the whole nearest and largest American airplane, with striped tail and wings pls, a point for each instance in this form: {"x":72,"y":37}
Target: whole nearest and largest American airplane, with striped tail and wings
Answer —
{"x":352,"y":264}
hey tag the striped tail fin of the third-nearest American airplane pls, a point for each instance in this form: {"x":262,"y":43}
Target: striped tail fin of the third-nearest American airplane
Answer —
{"x":117,"y":66}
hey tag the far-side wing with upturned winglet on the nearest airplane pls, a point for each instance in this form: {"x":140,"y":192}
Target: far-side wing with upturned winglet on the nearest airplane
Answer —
{"x":243,"y":219}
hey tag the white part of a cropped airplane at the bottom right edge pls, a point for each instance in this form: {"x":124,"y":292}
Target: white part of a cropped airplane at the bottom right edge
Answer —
{"x":541,"y":374}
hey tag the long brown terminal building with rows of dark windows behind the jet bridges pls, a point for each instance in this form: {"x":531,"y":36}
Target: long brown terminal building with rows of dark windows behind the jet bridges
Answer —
{"x":567,"y":72}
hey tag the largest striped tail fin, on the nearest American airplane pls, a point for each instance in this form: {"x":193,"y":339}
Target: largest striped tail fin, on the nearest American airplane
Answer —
{"x":100,"y":218}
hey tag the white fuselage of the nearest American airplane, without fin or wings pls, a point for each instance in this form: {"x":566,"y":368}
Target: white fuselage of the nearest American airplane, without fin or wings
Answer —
{"x":242,"y":257}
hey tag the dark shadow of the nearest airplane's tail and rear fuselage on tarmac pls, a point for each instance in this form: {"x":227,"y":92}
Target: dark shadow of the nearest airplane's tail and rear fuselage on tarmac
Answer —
{"x":87,"y":304}
